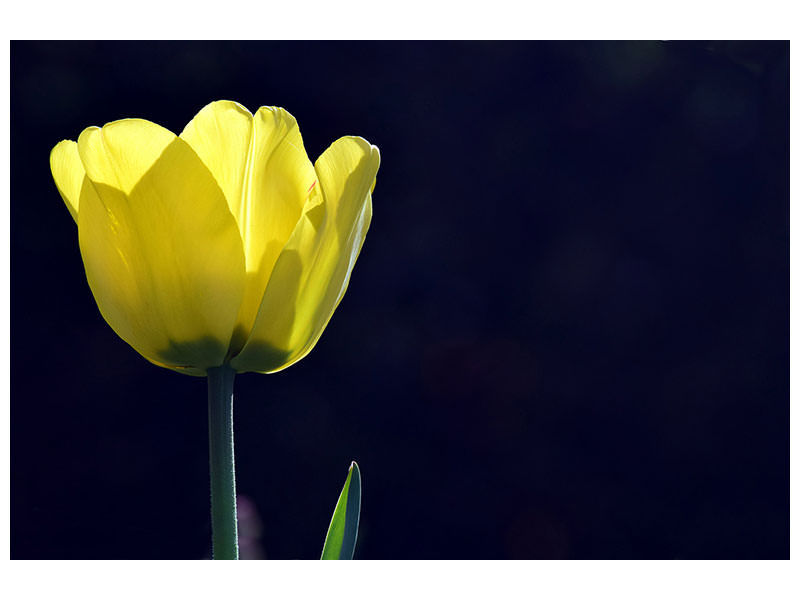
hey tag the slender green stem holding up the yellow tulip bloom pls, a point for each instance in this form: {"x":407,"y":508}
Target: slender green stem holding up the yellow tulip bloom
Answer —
{"x":223,"y":478}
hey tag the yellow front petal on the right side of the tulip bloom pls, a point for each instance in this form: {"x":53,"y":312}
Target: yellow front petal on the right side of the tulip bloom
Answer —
{"x":313,"y":270}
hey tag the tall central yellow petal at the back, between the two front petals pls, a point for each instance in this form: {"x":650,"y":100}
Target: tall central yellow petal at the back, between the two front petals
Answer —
{"x":262,"y":167}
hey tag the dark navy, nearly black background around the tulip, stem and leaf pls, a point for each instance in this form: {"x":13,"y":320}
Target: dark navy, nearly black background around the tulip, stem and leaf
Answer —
{"x":566,"y":336}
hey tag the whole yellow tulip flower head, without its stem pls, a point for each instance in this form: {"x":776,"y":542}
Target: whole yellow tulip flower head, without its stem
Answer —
{"x":223,"y":245}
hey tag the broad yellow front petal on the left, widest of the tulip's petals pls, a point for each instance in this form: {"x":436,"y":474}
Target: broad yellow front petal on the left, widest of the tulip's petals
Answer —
{"x":162,"y":252}
